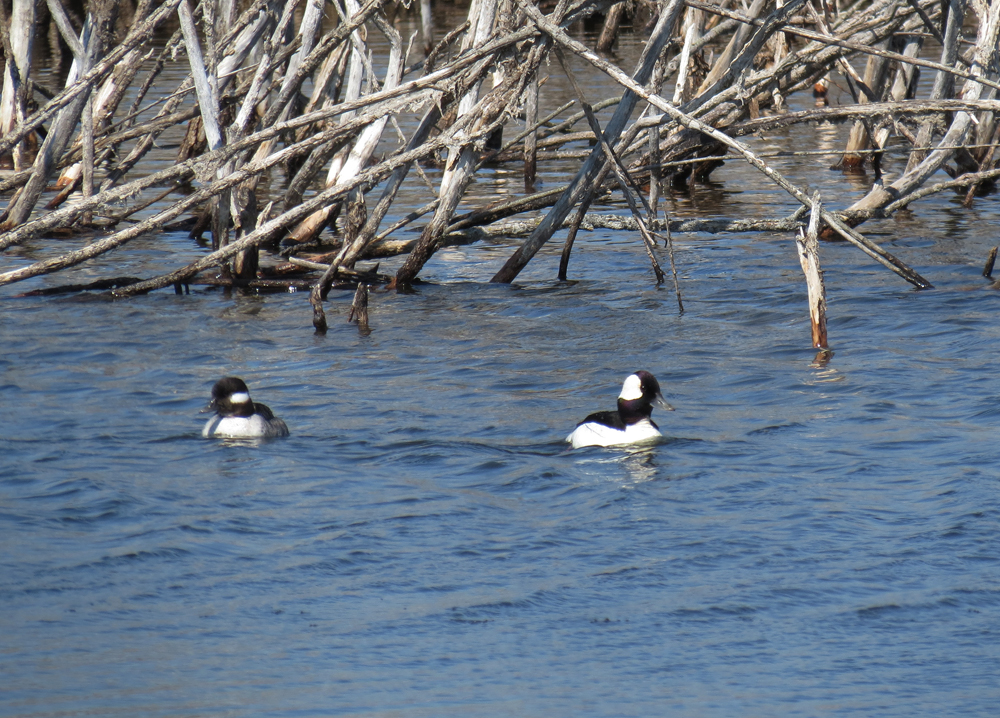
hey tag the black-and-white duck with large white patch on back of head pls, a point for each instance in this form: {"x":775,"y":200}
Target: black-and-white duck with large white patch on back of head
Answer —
{"x":631,"y":423}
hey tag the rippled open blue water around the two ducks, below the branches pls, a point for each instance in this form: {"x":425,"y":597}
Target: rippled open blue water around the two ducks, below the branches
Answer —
{"x":810,"y":539}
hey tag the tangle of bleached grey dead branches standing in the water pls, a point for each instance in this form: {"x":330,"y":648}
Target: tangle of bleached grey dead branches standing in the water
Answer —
{"x":707,"y":76}
